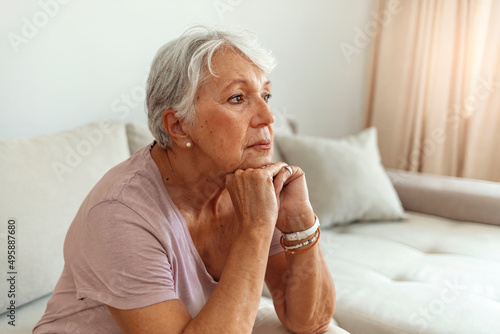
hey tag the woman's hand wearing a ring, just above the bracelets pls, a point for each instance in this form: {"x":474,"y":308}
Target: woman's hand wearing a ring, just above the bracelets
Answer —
{"x":295,"y":212}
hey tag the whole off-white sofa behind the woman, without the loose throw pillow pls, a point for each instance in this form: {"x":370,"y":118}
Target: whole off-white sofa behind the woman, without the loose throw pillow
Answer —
{"x":432,"y":272}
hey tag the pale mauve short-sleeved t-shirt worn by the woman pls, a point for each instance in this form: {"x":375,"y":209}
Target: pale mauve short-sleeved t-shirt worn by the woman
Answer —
{"x":128,"y":247}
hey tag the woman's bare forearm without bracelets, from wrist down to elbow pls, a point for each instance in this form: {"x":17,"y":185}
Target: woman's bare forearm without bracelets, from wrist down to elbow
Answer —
{"x":233,"y":305}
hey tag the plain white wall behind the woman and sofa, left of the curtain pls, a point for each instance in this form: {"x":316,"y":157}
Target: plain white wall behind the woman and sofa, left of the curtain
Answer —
{"x":88,"y":60}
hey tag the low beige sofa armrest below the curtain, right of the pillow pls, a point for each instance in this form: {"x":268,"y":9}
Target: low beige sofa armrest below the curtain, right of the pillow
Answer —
{"x":448,"y":197}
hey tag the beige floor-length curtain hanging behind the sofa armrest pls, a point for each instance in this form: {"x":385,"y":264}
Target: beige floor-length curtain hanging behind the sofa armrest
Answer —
{"x":434,"y":86}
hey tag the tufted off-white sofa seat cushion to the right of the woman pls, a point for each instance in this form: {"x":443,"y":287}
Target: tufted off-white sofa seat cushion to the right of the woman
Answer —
{"x":423,"y":275}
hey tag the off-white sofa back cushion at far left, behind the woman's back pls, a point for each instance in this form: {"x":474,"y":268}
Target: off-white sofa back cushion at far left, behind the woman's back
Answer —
{"x":45,"y":178}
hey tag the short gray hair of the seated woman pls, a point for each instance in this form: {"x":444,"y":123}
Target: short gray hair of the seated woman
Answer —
{"x":179,"y":69}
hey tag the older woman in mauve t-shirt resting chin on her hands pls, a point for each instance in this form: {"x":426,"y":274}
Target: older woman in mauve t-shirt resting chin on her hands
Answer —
{"x":181,"y":237}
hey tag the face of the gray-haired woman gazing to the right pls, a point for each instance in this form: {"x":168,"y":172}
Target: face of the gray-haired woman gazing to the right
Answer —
{"x":233,"y":128}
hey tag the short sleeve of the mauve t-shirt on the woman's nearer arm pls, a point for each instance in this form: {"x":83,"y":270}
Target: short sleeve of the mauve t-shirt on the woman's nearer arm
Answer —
{"x":118,"y":260}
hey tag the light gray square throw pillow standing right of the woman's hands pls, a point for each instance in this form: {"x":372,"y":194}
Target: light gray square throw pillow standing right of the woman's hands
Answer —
{"x":345,"y":177}
